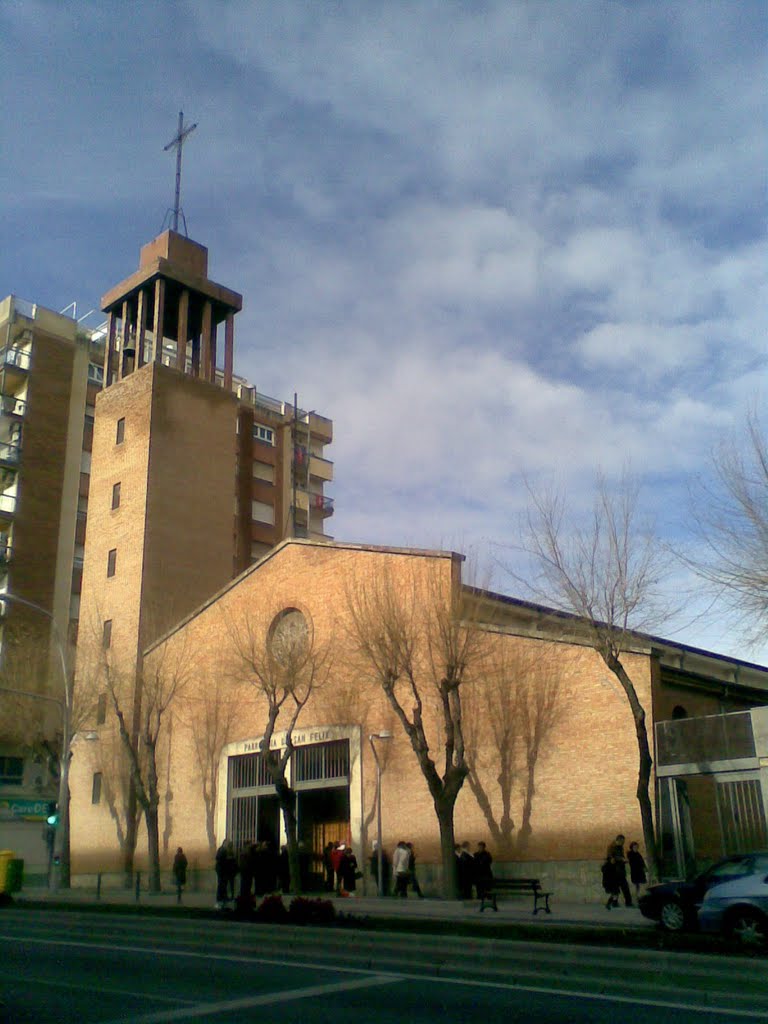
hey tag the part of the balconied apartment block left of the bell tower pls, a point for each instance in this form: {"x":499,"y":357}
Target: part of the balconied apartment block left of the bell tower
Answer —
{"x":51,"y":373}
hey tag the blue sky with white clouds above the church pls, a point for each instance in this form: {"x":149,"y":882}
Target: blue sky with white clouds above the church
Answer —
{"x":501,"y":245}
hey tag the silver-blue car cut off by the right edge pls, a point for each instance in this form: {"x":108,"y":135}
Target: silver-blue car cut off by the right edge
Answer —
{"x":740,"y":909}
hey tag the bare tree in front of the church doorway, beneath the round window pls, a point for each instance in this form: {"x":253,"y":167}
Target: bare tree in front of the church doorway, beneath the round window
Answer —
{"x":285,"y":664}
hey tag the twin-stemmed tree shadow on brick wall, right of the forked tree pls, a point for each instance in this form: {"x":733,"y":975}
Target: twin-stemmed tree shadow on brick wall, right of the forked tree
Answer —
{"x":515,"y":707}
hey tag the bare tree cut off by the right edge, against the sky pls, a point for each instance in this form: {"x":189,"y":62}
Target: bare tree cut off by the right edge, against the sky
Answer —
{"x":731,"y":520}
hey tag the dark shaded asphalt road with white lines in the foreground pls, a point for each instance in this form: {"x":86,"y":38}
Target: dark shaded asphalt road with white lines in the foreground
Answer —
{"x":75,"y":968}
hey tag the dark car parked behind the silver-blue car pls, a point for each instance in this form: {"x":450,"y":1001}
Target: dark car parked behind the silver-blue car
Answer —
{"x":675,"y":905}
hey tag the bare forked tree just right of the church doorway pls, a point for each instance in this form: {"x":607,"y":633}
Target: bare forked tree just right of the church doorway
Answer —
{"x":409,"y":632}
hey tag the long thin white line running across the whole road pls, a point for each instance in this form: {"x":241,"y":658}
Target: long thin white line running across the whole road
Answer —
{"x":638,"y":1001}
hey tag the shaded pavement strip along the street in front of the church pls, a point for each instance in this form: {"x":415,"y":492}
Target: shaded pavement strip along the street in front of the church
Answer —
{"x":516,"y":910}
